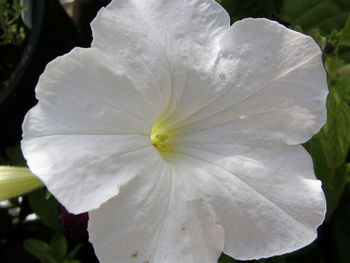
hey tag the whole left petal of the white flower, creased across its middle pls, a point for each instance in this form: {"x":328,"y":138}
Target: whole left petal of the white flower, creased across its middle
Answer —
{"x":90,"y":126}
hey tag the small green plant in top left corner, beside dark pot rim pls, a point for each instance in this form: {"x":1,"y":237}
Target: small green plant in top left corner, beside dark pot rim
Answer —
{"x":12,"y":30}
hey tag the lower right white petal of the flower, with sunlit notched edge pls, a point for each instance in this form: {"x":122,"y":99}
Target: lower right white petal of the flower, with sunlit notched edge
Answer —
{"x":265,"y":195}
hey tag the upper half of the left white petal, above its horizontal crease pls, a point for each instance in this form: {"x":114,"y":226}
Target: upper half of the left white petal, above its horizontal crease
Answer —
{"x":84,"y":92}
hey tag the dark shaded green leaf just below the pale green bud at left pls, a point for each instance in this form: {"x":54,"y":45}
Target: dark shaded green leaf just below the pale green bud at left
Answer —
{"x":46,"y":209}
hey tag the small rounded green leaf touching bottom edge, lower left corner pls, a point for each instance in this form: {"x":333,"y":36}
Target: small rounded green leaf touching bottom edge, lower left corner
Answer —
{"x":39,"y":249}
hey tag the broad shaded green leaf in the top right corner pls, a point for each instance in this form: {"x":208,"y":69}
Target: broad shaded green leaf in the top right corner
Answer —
{"x":327,"y":15}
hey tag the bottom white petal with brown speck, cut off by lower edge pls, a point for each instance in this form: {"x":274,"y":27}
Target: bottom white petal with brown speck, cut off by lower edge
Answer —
{"x":152,"y":220}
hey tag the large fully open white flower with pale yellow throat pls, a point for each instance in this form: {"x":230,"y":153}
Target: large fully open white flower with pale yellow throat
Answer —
{"x":181,"y":135}
